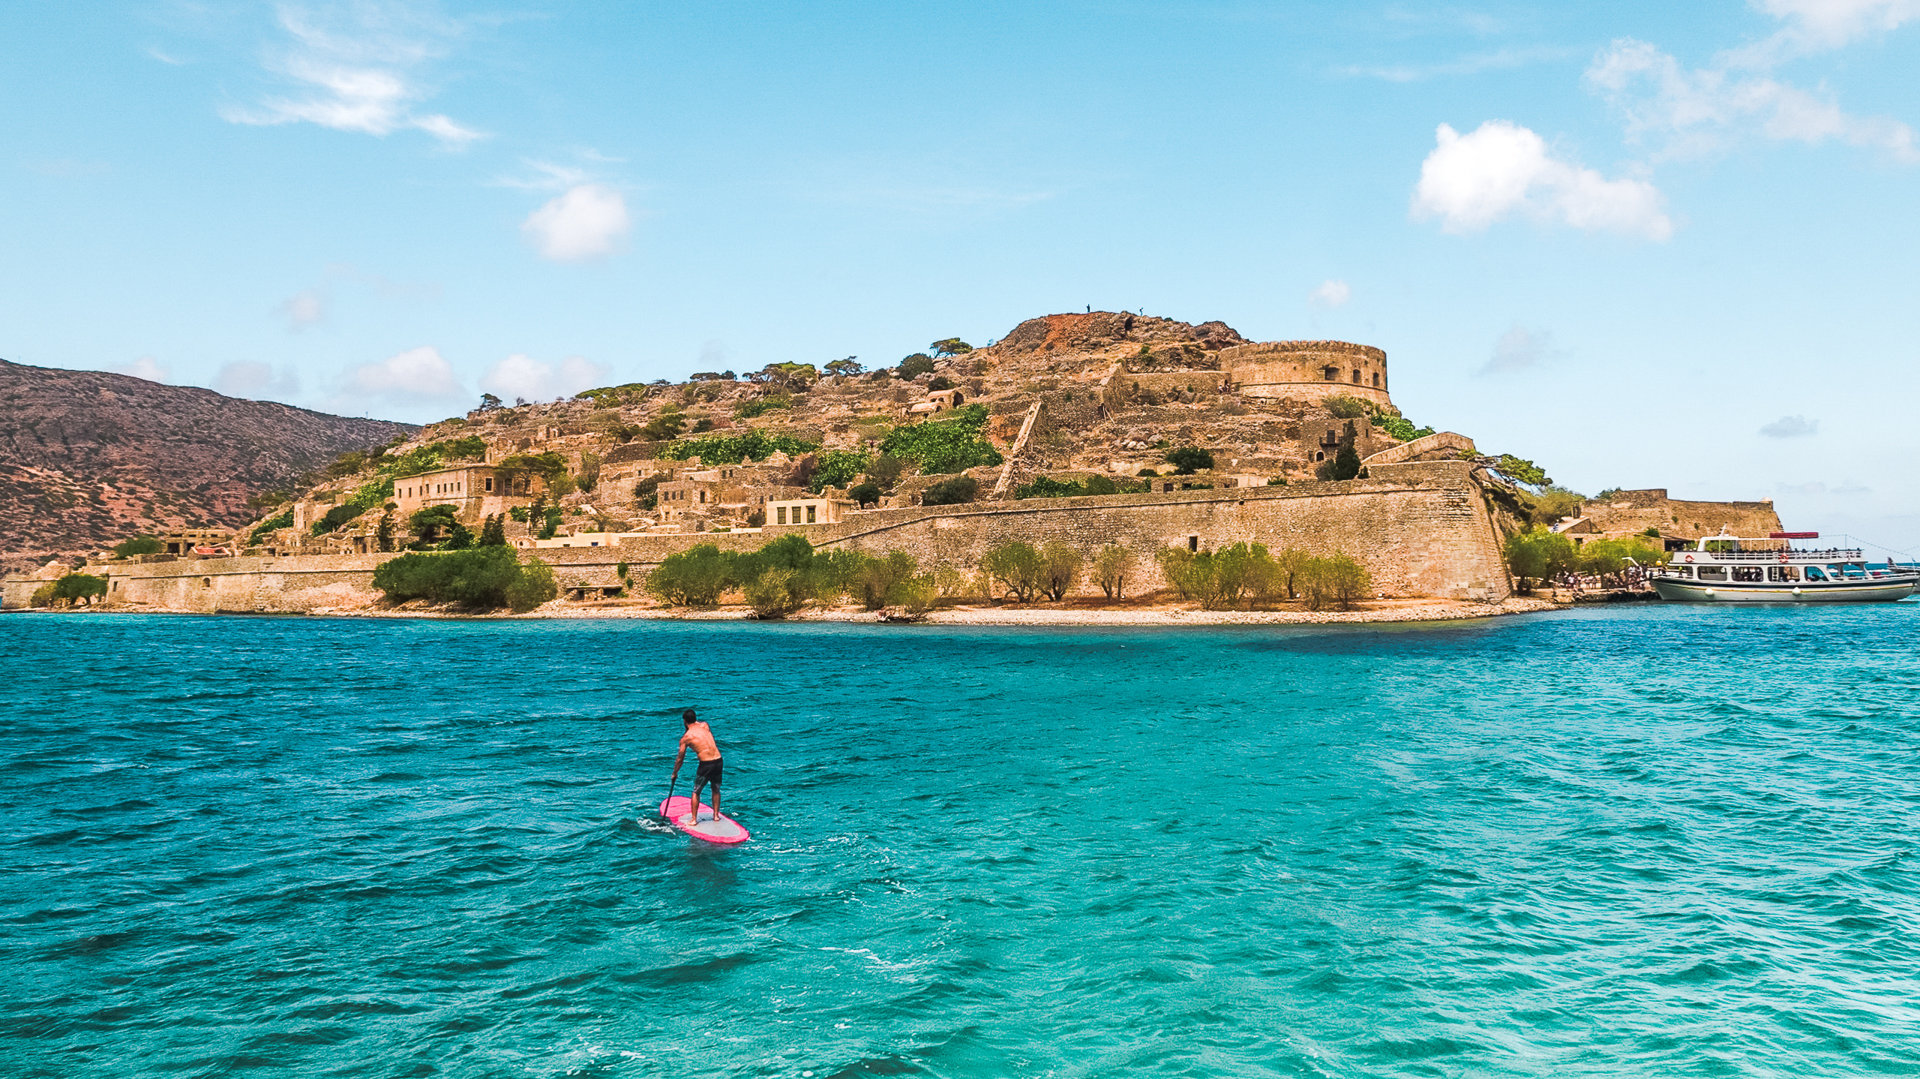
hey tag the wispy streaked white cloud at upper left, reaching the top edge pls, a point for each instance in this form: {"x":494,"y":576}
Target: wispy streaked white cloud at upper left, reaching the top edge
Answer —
{"x":358,"y":68}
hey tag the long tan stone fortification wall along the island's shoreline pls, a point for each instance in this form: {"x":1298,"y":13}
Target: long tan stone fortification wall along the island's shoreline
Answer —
{"x":1420,"y":529}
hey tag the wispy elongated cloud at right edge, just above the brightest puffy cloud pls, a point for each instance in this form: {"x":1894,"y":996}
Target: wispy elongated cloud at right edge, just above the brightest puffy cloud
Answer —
{"x":1708,"y":110}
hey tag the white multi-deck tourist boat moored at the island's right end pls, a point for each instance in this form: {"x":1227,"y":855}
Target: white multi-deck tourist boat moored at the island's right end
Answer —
{"x":1731,"y":569}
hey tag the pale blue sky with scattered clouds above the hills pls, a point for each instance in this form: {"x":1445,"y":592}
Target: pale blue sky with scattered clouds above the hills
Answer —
{"x":1646,"y":245}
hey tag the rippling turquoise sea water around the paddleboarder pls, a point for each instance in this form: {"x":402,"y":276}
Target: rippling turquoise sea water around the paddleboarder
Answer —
{"x":1658,"y":842}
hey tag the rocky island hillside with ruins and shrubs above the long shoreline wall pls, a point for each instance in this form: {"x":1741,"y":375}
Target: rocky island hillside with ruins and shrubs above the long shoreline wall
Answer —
{"x":1090,"y":402}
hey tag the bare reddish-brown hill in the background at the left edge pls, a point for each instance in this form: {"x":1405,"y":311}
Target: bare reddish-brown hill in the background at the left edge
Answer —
{"x":91,"y":458}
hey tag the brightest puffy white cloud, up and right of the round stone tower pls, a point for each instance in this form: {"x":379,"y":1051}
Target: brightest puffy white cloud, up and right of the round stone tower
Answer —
{"x":1472,"y":181}
